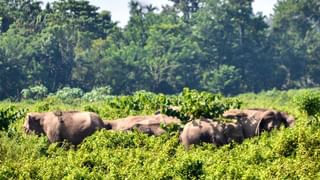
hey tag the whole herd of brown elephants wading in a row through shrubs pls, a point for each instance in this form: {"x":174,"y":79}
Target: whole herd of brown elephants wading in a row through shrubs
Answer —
{"x":75,"y":126}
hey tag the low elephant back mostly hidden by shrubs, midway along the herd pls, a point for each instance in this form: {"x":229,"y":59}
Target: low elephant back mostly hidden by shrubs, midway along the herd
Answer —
{"x":150,"y":124}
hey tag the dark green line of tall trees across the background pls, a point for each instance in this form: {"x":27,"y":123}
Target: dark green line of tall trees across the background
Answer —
{"x":213,"y":45}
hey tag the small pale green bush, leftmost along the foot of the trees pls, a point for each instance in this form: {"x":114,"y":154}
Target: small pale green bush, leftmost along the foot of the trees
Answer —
{"x":35,"y":92}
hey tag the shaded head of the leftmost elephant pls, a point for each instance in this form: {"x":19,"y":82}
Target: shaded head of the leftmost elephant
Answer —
{"x":33,"y":123}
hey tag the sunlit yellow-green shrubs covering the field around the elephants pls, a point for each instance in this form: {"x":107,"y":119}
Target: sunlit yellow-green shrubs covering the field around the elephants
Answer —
{"x":282,"y":154}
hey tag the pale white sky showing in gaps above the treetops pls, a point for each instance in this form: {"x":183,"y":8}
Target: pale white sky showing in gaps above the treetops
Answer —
{"x":120,"y":11}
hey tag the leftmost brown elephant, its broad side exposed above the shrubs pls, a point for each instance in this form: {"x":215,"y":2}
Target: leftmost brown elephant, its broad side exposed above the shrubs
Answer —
{"x":72,"y":126}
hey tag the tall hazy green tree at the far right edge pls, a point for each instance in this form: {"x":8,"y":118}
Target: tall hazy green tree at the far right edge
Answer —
{"x":295,"y":34}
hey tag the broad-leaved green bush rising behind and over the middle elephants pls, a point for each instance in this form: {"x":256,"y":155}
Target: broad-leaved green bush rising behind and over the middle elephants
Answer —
{"x":191,"y":104}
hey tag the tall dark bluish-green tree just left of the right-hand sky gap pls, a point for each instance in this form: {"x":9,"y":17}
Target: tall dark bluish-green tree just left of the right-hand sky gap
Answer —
{"x":229,"y":33}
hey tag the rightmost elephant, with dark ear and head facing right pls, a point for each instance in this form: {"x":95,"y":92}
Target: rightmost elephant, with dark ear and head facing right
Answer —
{"x":254,"y":121}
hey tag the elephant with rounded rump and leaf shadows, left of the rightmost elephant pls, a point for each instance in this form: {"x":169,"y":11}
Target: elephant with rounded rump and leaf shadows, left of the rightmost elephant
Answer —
{"x":206,"y":130}
